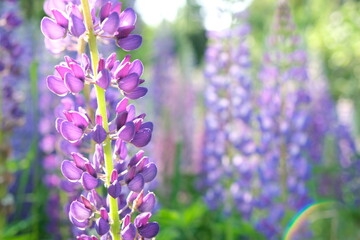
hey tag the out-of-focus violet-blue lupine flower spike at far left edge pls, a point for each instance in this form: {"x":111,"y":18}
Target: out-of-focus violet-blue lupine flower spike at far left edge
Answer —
{"x":13,"y":54}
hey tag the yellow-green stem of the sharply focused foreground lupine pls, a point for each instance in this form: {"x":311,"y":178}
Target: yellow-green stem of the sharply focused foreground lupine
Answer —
{"x":100,"y":95}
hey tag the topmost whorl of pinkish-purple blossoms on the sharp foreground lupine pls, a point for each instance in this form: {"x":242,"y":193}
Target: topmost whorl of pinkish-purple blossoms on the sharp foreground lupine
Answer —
{"x":65,"y":24}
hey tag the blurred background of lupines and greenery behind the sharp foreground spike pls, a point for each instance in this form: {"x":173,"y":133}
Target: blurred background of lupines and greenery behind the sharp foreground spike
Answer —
{"x":256,"y":114}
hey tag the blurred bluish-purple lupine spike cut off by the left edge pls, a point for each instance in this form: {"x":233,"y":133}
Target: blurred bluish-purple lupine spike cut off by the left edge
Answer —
{"x":12,"y":76}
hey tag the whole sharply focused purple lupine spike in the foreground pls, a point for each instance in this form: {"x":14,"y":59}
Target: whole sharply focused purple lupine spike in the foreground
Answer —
{"x":113,"y":164}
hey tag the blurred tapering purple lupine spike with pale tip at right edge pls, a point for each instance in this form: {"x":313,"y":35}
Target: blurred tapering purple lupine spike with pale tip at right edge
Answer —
{"x":332,"y":146}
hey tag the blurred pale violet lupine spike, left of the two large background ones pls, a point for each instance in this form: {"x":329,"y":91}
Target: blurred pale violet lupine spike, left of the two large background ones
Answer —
{"x":228,"y":99}
